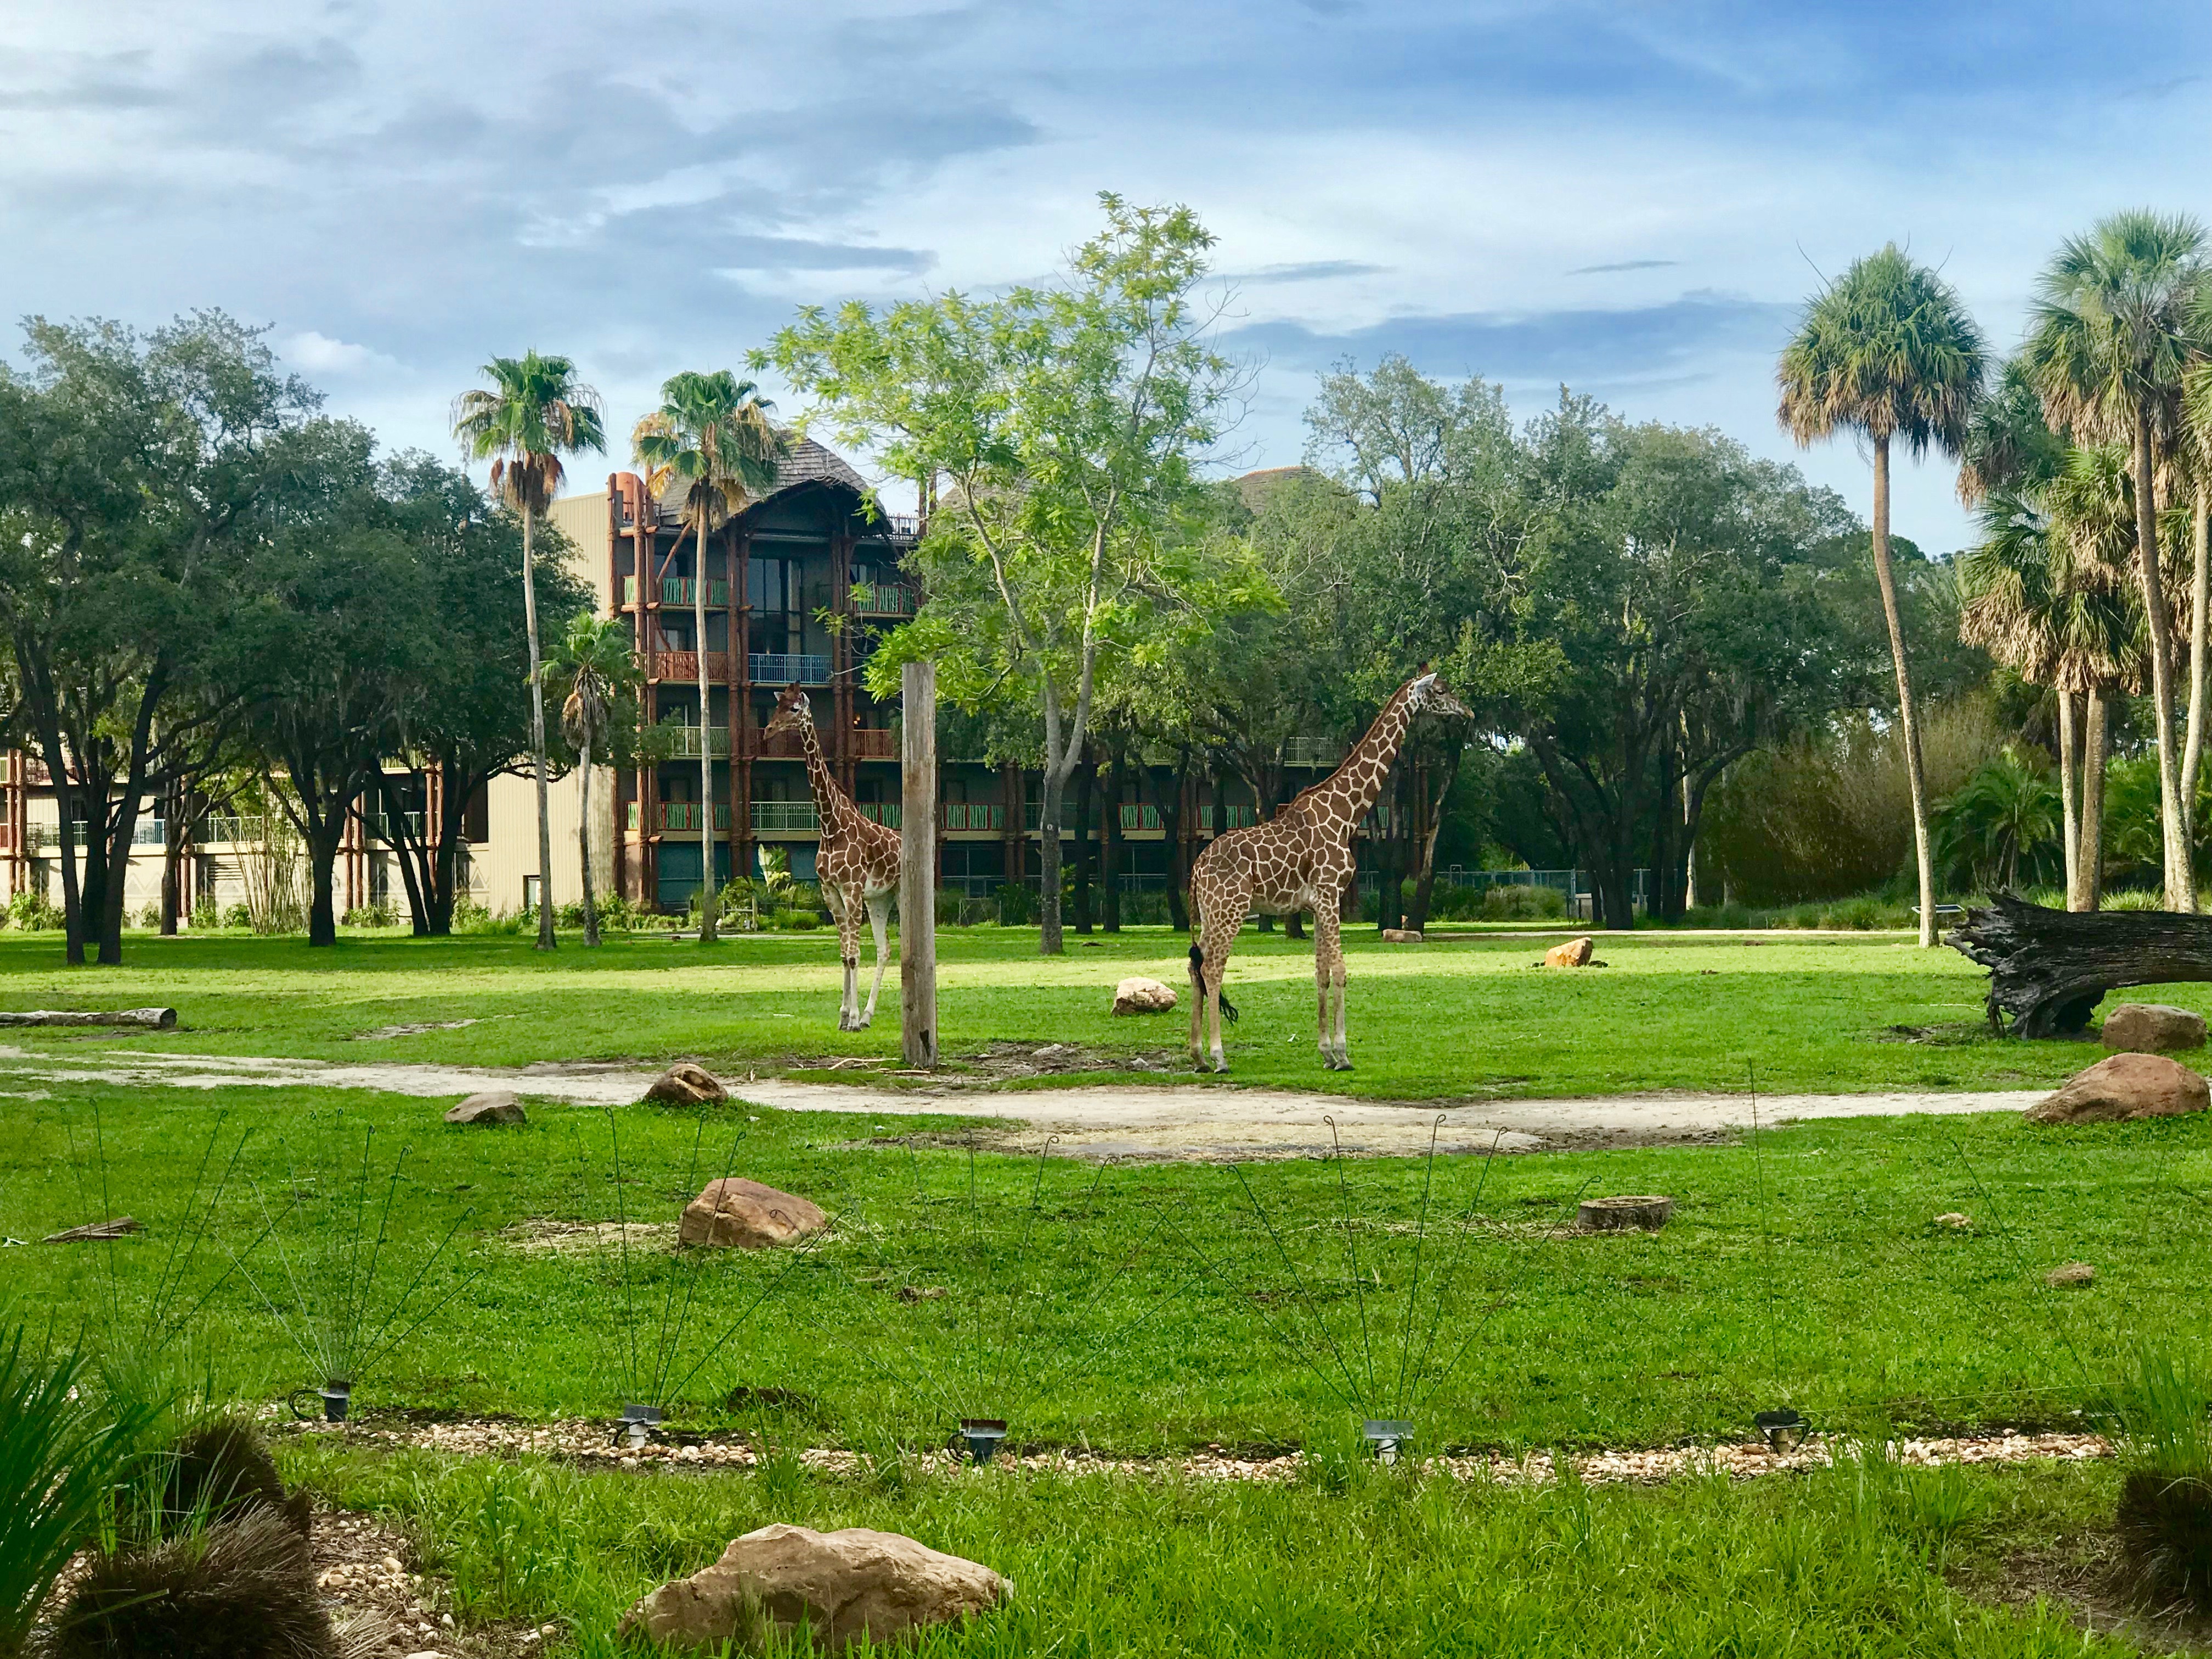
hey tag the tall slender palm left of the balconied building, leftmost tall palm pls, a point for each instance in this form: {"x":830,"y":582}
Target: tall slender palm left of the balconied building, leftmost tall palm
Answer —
{"x":523,"y":424}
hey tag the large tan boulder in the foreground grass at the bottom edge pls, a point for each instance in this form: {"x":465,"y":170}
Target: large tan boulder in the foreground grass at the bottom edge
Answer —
{"x":844,"y":1587}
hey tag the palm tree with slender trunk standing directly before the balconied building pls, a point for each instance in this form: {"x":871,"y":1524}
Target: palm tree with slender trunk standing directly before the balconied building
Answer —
{"x":713,"y":437}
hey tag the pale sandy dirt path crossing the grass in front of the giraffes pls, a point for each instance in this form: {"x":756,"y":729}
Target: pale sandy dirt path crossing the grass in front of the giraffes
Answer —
{"x":1103,"y":1120}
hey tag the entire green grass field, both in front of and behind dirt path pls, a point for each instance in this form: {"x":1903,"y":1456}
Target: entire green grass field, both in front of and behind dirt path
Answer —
{"x":1147,"y":1308}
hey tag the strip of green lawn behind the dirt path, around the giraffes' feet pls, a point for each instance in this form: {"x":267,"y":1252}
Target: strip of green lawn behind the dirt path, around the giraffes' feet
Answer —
{"x":1463,"y":1019}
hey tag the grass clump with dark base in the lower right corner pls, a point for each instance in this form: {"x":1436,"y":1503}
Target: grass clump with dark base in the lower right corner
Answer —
{"x":2164,"y":1426}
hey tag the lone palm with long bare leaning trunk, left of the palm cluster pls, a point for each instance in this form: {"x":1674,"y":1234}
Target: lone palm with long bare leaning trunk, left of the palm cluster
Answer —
{"x":1888,"y":353}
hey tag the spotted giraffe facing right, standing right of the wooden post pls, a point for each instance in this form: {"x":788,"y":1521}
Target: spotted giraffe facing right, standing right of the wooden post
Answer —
{"x":1300,"y":859}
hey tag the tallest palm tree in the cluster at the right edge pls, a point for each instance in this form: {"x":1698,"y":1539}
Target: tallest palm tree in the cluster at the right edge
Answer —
{"x":2114,"y":335}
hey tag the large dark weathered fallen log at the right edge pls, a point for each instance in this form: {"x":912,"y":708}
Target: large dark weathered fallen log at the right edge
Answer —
{"x":2049,"y":968}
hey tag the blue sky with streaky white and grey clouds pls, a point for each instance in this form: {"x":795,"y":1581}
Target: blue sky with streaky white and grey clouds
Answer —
{"x":1625,"y":198}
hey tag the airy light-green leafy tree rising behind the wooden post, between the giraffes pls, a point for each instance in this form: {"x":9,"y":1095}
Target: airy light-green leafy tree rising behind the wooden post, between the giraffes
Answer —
{"x":1070,"y":424}
